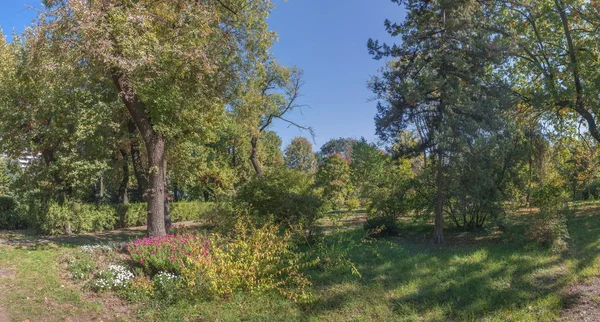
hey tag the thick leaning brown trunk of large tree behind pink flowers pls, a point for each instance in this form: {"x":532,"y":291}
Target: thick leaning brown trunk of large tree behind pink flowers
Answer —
{"x":155,"y":147}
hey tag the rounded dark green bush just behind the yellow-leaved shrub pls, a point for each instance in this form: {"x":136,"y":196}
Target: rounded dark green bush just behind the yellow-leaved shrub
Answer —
{"x":282,"y":196}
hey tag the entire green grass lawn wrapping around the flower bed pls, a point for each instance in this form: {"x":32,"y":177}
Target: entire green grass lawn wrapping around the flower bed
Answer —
{"x":485,"y":276}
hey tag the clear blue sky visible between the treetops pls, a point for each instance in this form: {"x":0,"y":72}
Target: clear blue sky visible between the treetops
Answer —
{"x":325,"y":38}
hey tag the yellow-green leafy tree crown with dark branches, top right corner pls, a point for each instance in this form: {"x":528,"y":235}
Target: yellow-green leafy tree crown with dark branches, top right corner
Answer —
{"x":554,"y":46}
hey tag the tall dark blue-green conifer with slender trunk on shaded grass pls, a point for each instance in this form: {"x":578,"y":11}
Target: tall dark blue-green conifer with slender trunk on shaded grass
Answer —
{"x":439,"y":83}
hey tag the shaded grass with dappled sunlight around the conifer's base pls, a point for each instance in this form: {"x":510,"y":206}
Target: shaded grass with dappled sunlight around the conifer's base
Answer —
{"x":485,"y":275}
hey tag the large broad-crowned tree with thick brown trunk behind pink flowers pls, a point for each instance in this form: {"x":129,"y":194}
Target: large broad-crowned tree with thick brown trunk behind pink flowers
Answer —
{"x":173,"y":65}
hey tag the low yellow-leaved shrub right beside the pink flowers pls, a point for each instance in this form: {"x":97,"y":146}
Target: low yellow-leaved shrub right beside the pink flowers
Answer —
{"x":254,"y":260}
